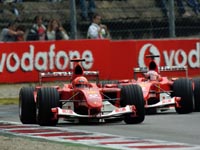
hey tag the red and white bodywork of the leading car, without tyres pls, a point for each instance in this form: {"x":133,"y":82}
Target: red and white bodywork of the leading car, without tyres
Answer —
{"x":87,"y":101}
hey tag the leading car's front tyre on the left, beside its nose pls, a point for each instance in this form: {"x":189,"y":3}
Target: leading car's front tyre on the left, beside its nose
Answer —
{"x":47,"y":98}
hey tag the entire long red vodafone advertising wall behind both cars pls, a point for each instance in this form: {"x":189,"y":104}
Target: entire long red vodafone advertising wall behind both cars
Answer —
{"x":21,"y":61}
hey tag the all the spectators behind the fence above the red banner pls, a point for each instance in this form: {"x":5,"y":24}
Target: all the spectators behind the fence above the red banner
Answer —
{"x":96,"y":30}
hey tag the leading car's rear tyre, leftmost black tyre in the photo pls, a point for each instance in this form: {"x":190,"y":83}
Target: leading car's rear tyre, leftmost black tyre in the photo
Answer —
{"x":27,"y":106}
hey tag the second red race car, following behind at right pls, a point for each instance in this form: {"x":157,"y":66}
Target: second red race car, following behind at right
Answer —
{"x":162,"y":93}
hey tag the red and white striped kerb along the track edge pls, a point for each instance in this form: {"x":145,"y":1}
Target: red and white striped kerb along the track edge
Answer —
{"x":59,"y":134}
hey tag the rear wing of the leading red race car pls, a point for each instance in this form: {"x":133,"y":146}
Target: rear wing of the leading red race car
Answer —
{"x":68,"y":74}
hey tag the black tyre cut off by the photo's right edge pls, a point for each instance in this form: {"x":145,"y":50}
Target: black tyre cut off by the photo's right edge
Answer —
{"x":197,"y":94}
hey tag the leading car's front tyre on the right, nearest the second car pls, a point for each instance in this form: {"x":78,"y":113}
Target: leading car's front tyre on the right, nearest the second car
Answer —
{"x":132,"y":95}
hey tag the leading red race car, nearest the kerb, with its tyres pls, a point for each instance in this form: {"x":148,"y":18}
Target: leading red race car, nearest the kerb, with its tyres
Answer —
{"x":79,"y":100}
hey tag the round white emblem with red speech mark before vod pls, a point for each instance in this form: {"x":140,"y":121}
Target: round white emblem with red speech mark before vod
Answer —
{"x":146,"y":50}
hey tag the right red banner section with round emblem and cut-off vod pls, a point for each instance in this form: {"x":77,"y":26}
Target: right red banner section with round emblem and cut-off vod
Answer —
{"x":172,"y":52}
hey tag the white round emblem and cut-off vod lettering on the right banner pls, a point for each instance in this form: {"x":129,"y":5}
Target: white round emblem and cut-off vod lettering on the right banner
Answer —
{"x":171,"y":57}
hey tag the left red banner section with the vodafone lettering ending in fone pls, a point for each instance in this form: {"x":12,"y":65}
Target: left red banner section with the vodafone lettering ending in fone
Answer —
{"x":21,"y":61}
